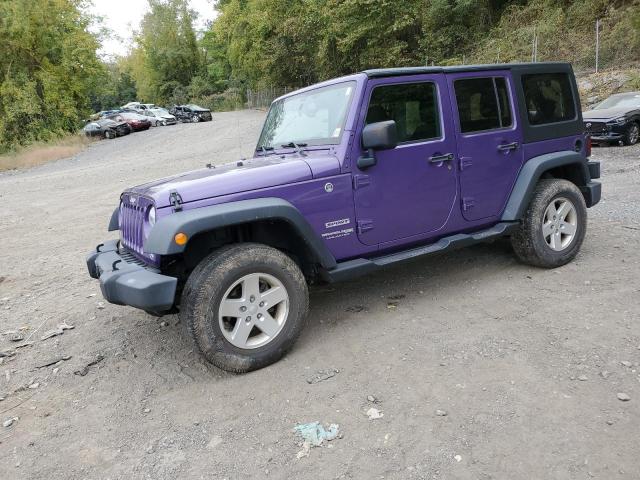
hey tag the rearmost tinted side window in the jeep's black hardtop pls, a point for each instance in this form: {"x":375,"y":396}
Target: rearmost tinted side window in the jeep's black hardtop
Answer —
{"x":549,"y":98}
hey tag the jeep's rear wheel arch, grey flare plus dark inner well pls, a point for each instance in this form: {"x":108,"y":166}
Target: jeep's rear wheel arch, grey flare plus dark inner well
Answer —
{"x":567,"y":165}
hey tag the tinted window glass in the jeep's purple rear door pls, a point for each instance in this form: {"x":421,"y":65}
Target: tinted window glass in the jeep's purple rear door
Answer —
{"x":483,"y":104}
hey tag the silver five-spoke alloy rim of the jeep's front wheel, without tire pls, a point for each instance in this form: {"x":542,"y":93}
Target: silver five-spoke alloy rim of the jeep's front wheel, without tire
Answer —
{"x":253,"y":310}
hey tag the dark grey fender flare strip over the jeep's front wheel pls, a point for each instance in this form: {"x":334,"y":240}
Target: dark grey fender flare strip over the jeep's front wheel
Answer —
{"x":191,"y":222}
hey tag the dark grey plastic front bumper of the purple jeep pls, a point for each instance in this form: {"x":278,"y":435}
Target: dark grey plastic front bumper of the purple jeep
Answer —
{"x":124,"y":281}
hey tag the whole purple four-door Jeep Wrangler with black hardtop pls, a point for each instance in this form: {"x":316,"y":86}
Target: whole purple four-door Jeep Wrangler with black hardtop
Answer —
{"x":349,"y":176}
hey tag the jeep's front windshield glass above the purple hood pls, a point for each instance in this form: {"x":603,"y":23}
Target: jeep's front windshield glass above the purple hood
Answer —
{"x":315,"y":117}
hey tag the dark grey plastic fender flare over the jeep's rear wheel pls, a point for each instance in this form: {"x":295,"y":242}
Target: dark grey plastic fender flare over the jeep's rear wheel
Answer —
{"x":531,"y":172}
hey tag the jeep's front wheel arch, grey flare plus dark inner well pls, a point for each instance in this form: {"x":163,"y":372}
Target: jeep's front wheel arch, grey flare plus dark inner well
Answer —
{"x":272,"y":221}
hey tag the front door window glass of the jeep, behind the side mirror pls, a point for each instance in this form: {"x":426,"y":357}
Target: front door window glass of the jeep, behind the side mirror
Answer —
{"x":413,"y":106}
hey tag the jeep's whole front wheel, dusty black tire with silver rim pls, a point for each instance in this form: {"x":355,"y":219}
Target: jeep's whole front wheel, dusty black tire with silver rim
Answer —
{"x":245,"y":306}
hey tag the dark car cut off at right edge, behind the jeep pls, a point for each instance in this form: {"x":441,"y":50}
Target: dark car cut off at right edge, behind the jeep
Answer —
{"x":617,"y":119}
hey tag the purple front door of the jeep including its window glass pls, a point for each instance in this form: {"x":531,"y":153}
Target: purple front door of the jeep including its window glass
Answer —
{"x":411,"y":190}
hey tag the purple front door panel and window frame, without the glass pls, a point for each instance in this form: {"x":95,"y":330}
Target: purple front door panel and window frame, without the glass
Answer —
{"x":405,"y":194}
